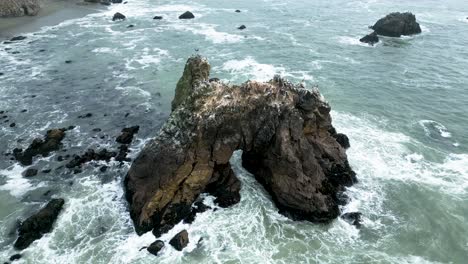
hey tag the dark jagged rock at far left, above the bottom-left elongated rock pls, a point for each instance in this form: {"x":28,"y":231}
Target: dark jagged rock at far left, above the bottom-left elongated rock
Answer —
{"x":52,"y":142}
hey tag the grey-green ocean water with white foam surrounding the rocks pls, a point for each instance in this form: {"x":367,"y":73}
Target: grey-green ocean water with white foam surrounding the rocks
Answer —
{"x":403,"y":103}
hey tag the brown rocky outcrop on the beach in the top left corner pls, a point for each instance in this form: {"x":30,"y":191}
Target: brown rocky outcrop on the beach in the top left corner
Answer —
{"x":15,"y":8}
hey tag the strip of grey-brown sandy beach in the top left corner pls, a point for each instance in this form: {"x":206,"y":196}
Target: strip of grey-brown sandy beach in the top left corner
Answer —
{"x":53,"y":12}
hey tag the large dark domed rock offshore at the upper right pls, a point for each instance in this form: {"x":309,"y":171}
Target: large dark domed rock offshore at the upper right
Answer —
{"x":397,"y":24}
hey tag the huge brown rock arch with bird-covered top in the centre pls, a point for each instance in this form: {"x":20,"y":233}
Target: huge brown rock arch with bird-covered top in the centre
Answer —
{"x":285,"y":133}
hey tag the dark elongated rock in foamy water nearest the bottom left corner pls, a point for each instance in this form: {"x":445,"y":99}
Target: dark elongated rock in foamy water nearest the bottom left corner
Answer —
{"x":38,"y":224}
